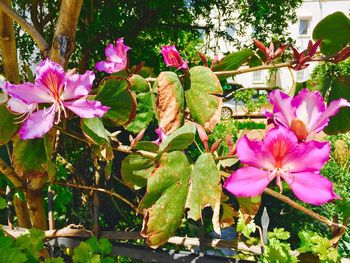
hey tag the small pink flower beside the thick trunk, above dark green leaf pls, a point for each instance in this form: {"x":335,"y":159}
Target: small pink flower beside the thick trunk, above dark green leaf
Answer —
{"x":116,"y":57}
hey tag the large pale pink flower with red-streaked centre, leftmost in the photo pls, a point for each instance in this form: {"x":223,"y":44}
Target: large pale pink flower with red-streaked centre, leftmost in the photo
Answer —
{"x":56,"y":88}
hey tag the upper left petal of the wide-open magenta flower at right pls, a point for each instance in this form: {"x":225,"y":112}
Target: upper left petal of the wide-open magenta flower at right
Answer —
{"x":254,"y":153}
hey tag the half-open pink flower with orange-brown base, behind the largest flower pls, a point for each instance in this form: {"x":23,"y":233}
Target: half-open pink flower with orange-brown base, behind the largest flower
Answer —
{"x":306,"y":114}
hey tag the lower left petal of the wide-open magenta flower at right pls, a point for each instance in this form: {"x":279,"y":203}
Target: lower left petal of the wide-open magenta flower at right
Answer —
{"x":247,"y":181}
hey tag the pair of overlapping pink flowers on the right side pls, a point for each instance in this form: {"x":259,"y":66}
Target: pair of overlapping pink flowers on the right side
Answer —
{"x":287,"y":151}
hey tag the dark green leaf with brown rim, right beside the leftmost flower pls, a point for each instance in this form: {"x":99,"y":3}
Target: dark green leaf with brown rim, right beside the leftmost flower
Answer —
{"x":114,"y":92}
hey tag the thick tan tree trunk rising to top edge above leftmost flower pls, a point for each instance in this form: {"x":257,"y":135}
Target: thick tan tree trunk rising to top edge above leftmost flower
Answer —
{"x":64,"y":39}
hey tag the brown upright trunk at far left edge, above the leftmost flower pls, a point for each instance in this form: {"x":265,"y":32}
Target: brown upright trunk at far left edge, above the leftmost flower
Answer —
{"x":8,"y":47}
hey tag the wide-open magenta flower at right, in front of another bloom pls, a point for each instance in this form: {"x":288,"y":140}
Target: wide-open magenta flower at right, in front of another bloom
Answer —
{"x":280,"y":156}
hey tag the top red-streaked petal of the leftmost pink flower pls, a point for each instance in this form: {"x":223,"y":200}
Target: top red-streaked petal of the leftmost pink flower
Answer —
{"x":50,"y":76}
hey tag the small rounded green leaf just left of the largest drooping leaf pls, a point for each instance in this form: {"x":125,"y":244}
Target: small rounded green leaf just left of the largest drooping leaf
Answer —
{"x":136,"y":169}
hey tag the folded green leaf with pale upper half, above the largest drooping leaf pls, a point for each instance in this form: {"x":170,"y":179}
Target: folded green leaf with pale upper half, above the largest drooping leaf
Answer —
{"x":179,"y":139}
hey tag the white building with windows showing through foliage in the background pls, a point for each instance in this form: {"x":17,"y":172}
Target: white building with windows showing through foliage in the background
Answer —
{"x":309,"y":14}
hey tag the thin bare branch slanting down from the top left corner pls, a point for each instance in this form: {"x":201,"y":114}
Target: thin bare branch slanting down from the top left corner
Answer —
{"x":37,"y":37}
